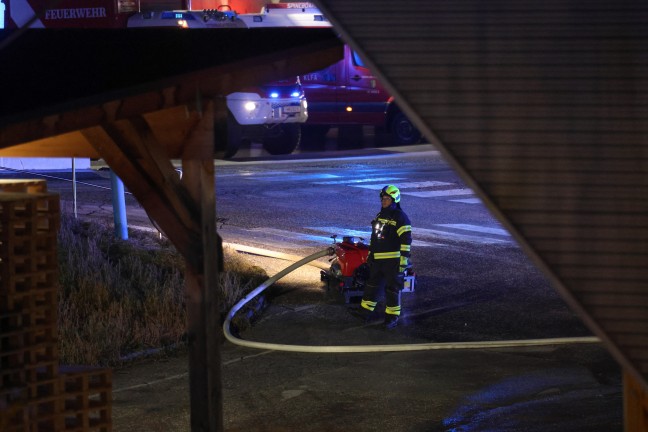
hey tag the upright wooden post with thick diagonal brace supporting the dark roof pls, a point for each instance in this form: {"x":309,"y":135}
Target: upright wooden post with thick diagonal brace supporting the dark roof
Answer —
{"x":185,"y":210}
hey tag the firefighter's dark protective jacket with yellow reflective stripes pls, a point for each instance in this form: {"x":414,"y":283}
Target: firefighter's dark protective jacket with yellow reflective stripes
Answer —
{"x":391,"y":234}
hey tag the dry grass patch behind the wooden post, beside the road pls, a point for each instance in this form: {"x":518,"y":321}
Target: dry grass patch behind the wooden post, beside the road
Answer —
{"x":118,"y":297}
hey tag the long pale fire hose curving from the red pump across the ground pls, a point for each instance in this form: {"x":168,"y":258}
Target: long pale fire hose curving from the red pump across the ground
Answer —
{"x":368,"y":348}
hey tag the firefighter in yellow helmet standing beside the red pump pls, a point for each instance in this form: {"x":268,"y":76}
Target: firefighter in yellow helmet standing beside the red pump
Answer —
{"x":389,"y":256}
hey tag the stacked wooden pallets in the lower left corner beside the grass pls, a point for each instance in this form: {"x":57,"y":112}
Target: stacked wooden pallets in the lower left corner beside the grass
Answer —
{"x":35,"y":395}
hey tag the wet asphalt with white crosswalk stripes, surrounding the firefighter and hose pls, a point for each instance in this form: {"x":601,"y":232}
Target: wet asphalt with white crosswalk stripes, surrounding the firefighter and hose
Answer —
{"x":474,"y":284}
